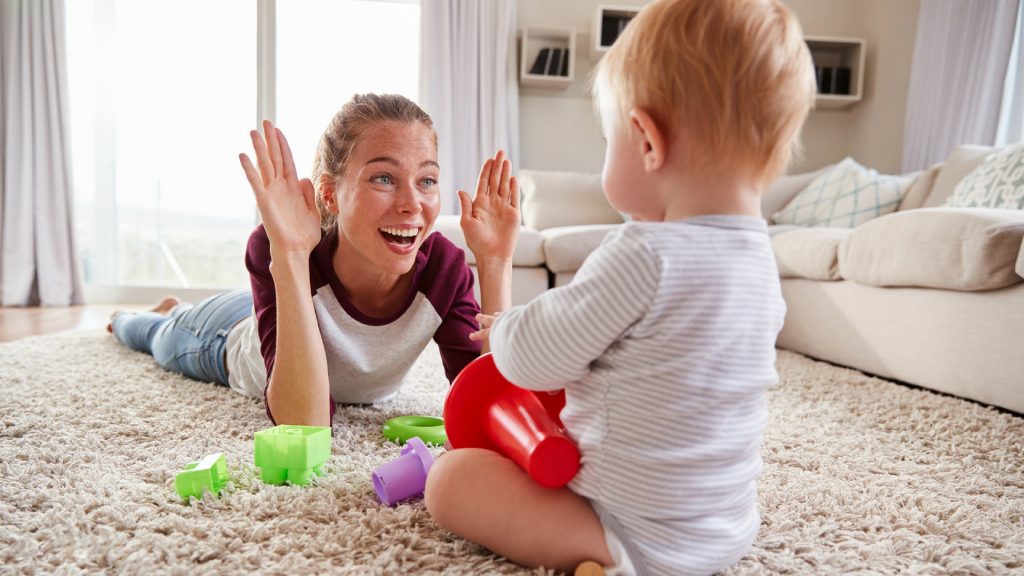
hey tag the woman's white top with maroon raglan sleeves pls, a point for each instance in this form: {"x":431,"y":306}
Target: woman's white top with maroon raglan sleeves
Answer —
{"x":368,"y":358}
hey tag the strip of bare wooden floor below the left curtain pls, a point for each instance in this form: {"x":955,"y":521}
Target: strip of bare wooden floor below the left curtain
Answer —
{"x":17,"y":323}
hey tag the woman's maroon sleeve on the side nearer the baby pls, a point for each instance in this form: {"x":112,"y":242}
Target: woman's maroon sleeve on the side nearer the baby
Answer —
{"x":448,"y":283}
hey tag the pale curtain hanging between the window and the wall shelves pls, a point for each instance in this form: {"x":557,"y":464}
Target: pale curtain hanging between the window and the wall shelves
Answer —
{"x":468,"y":86}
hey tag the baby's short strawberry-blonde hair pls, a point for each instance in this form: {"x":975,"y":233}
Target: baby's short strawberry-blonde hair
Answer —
{"x":735,"y":75}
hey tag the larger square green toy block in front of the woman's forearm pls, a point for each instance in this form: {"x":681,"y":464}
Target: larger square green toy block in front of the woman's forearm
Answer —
{"x":292,"y":454}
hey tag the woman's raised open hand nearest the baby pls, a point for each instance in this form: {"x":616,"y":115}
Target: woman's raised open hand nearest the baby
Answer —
{"x":491,"y":220}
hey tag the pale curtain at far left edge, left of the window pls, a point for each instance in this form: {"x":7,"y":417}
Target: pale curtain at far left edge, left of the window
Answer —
{"x":38,"y":264}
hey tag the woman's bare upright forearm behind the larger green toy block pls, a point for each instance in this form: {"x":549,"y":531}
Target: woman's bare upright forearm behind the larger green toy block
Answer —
{"x":298,"y":392}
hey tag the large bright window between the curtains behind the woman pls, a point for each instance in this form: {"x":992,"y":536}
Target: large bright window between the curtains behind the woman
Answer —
{"x":163,"y":95}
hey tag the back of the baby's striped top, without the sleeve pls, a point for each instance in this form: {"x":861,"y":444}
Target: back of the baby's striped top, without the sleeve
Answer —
{"x":670,"y":419}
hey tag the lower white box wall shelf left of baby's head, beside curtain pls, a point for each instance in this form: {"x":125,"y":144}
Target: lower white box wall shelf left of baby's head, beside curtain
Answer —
{"x":546,"y":58}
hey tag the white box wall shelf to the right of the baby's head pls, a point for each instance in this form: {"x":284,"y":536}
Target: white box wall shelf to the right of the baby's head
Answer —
{"x":839,"y":66}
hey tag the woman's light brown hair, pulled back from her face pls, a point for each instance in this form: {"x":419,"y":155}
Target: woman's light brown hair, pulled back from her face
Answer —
{"x":346,"y":132}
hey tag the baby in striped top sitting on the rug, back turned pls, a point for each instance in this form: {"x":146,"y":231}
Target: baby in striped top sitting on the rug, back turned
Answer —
{"x":665,"y":340}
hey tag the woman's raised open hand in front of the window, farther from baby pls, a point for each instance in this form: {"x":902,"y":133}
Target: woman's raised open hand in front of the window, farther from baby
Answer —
{"x":285,"y":202}
